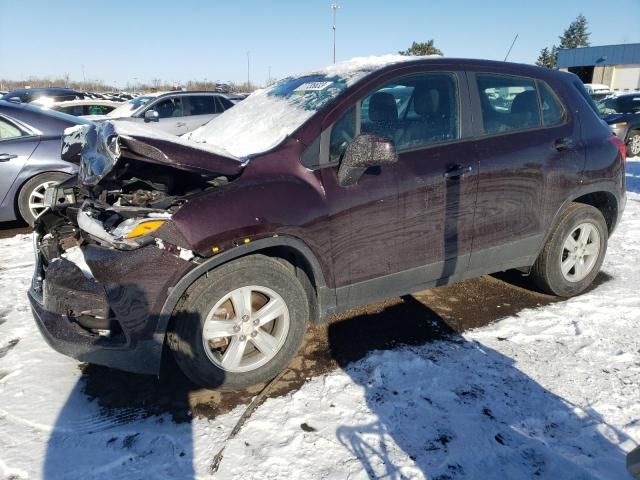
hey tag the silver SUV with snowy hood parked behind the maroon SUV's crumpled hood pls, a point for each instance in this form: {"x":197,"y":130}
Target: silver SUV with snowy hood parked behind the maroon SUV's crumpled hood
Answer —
{"x":173,"y":112}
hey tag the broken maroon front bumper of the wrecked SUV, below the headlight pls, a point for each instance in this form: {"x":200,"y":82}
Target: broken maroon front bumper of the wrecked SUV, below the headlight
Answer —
{"x":108,"y":316}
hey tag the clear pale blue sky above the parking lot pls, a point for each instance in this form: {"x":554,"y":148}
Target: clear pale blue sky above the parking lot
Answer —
{"x":181,"y":40}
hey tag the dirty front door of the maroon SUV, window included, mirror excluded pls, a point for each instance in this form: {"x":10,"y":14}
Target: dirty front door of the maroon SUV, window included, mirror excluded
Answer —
{"x":402,"y":227}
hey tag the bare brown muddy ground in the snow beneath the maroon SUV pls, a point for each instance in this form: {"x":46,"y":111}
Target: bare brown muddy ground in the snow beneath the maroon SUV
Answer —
{"x":411,"y":320}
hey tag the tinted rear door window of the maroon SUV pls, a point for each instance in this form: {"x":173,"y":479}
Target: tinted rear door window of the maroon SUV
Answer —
{"x":508,"y":103}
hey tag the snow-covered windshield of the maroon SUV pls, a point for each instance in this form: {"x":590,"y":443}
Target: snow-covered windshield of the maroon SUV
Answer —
{"x":267,"y":117}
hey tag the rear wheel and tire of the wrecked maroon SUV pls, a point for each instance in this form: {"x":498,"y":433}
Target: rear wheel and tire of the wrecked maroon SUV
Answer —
{"x":577,"y":220}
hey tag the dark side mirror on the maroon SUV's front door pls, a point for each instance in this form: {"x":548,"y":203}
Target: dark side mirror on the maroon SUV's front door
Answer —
{"x":364,"y":152}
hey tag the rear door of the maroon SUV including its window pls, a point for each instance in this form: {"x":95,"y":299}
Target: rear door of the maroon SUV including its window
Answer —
{"x":528,"y":147}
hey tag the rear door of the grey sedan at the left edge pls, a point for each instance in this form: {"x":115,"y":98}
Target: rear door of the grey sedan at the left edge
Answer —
{"x":16,"y":146}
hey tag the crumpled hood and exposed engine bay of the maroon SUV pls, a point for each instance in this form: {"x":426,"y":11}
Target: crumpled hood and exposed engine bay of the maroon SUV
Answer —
{"x":127,"y":188}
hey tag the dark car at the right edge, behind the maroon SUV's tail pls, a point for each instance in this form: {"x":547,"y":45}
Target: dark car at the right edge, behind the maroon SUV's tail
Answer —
{"x":623,"y":114}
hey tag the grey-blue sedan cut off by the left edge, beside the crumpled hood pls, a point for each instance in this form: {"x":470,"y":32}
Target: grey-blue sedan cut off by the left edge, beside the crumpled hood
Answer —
{"x":30,"y":158}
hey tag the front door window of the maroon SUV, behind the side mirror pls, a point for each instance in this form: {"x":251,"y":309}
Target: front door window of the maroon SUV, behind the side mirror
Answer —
{"x":414,"y":111}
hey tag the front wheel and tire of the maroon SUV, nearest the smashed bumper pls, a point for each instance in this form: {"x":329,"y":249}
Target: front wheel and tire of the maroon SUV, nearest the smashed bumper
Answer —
{"x":210,"y":363}
